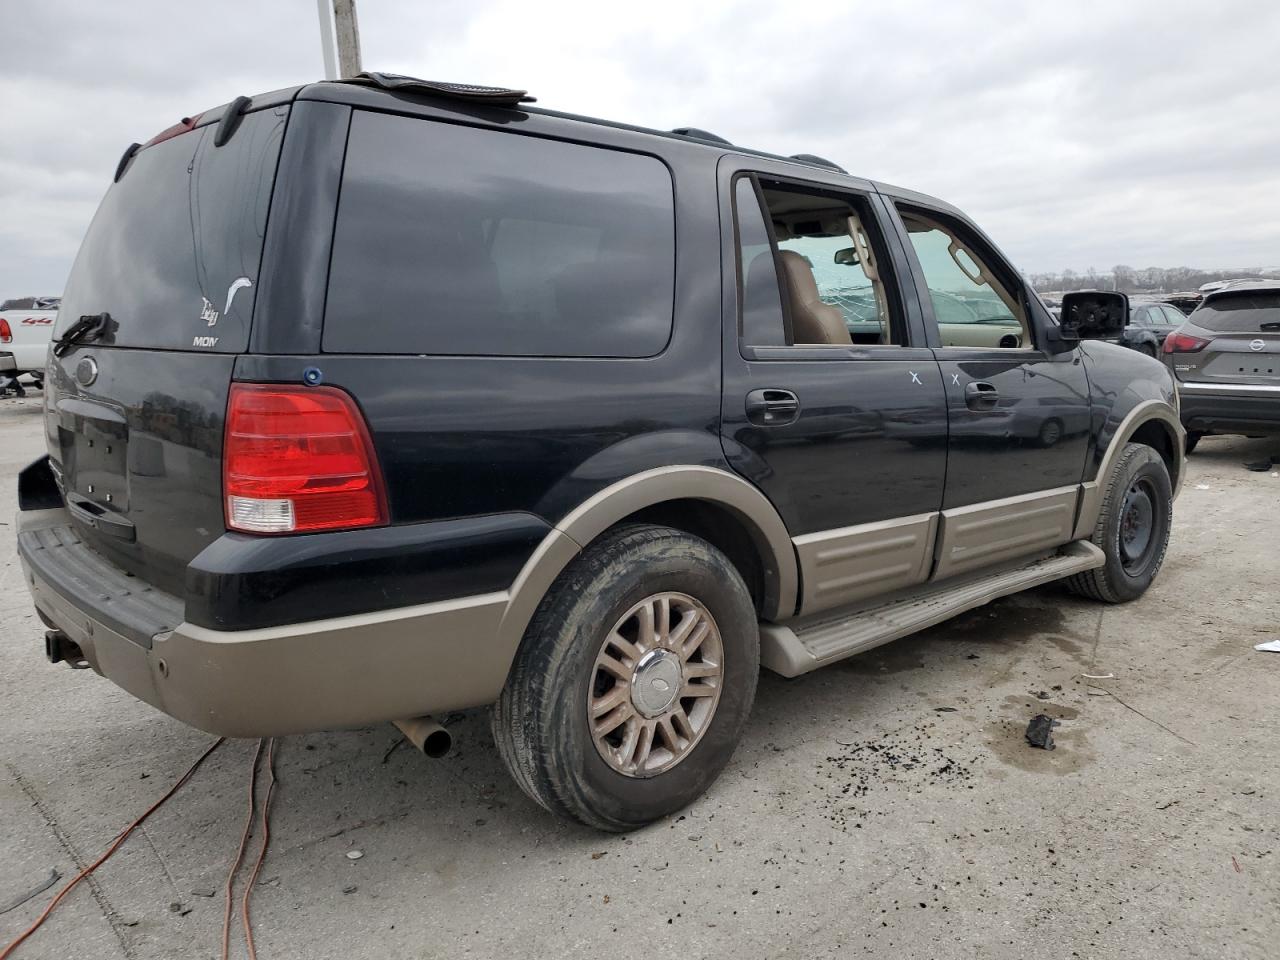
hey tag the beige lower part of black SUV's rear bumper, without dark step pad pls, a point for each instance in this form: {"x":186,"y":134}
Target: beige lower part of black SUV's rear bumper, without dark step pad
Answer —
{"x":323,"y":675}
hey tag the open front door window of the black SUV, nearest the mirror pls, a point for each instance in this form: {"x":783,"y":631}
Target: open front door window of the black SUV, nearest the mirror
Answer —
{"x":972,"y":305}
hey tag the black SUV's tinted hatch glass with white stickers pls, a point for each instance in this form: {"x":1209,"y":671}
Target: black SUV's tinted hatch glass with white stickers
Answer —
{"x":177,"y":240}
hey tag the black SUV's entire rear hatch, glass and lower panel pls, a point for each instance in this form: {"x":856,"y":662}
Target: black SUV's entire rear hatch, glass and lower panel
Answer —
{"x":167,"y":276}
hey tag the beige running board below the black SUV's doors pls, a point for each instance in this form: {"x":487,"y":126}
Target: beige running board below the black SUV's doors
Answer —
{"x":808,"y":643}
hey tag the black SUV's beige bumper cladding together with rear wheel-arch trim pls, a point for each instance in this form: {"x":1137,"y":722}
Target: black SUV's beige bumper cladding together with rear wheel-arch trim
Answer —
{"x":388,"y":665}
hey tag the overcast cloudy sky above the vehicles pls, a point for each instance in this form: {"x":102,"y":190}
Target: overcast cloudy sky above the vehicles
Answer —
{"x":1078,"y":135}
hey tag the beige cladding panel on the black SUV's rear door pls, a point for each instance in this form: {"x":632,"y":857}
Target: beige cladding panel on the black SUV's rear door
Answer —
{"x":871,"y":560}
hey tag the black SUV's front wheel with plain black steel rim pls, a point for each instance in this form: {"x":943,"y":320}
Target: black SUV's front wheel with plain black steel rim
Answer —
{"x":1132,"y":531}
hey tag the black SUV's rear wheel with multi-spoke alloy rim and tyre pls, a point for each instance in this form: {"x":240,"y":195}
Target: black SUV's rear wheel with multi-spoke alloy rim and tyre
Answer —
{"x":634,"y":680}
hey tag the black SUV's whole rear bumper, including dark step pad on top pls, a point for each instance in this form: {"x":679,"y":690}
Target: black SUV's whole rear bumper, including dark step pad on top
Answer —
{"x":319,"y":675}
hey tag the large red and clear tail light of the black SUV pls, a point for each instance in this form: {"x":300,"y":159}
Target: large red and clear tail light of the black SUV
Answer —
{"x":299,"y":460}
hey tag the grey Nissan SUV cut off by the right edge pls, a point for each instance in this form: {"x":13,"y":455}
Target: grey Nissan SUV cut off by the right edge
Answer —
{"x":1227,"y":362}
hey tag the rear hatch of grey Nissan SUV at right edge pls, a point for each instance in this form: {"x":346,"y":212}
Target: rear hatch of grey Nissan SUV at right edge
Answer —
{"x":1242,"y":330}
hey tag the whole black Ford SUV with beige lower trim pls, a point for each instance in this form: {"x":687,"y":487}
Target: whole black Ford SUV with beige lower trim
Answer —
{"x":376,"y":400}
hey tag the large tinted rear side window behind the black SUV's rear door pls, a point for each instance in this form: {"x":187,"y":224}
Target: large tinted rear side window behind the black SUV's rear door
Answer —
{"x":455,"y":240}
